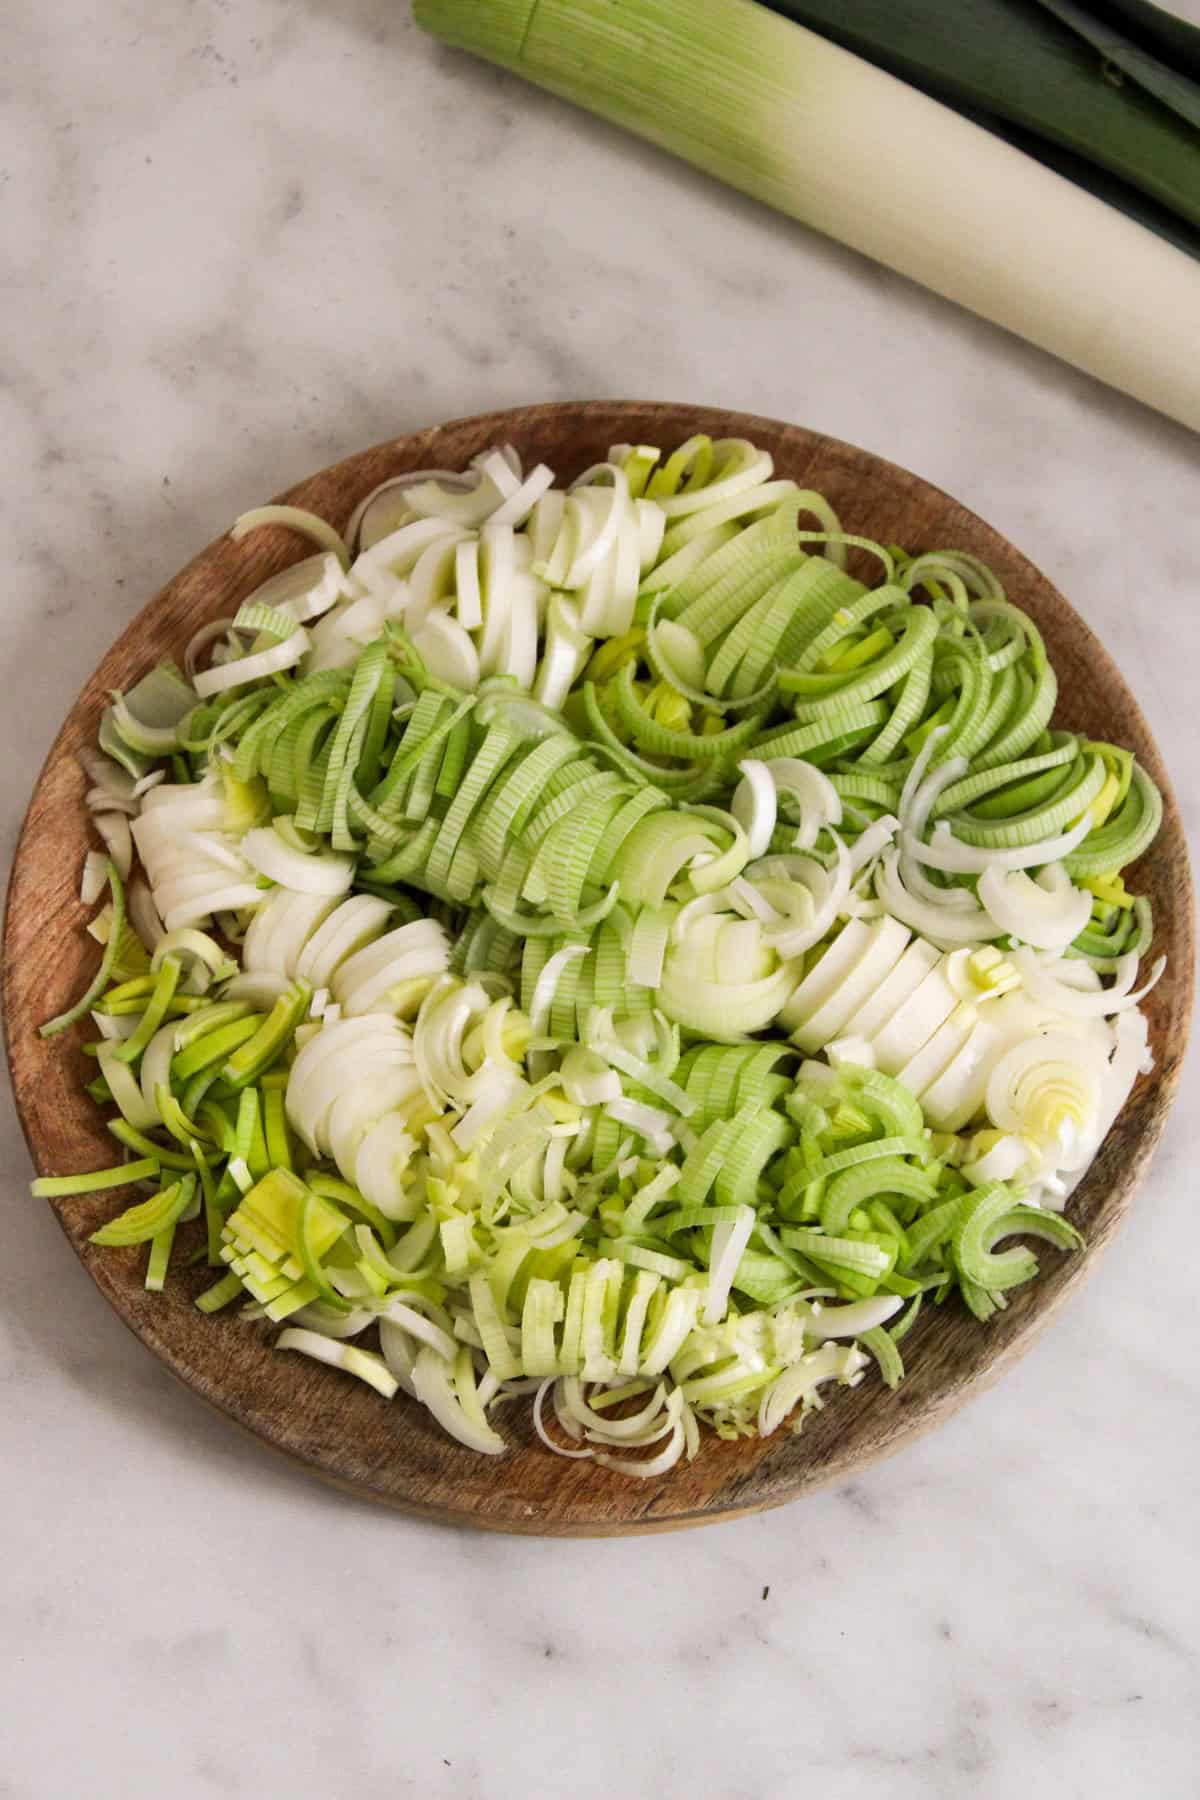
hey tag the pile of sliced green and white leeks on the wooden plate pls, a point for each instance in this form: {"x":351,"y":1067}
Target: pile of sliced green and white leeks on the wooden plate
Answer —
{"x":593,"y":946}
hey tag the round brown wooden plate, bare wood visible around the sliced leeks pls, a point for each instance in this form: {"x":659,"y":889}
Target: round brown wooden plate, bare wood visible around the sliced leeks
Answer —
{"x":397,"y":1455}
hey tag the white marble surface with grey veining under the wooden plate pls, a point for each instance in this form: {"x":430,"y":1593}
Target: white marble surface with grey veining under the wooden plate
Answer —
{"x":240,"y":240}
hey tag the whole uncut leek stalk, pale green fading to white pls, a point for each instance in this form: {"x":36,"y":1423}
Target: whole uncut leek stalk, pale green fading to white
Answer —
{"x":852,"y":152}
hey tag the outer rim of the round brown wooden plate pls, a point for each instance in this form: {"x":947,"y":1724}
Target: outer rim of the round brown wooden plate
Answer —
{"x":753,"y":1477}
